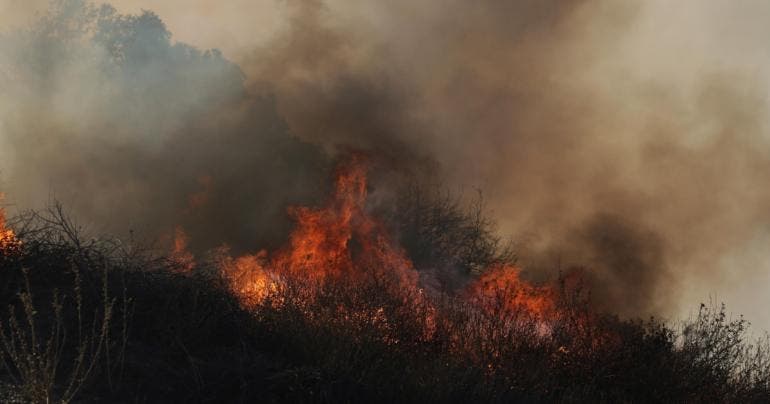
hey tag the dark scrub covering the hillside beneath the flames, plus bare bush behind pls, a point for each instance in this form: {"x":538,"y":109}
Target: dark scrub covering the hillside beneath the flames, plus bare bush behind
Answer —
{"x":98,"y":319}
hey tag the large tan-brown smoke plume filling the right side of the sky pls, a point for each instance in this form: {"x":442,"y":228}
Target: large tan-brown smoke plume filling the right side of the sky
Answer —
{"x":593,"y":147}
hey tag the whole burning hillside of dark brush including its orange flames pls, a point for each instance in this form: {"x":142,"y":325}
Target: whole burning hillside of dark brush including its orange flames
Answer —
{"x":337,"y":314}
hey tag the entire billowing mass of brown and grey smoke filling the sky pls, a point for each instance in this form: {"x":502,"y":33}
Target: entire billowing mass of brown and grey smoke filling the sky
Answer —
{"x":607,"y":135}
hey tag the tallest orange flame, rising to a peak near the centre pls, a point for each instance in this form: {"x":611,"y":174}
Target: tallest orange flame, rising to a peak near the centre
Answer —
{"x":337,"y":240}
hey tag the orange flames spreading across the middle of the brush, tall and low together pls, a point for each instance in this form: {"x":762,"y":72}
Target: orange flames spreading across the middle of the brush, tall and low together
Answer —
{"x":340,"y":250}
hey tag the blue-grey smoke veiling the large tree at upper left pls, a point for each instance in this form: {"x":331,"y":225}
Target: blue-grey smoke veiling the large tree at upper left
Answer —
{"x":132,"y":131}
